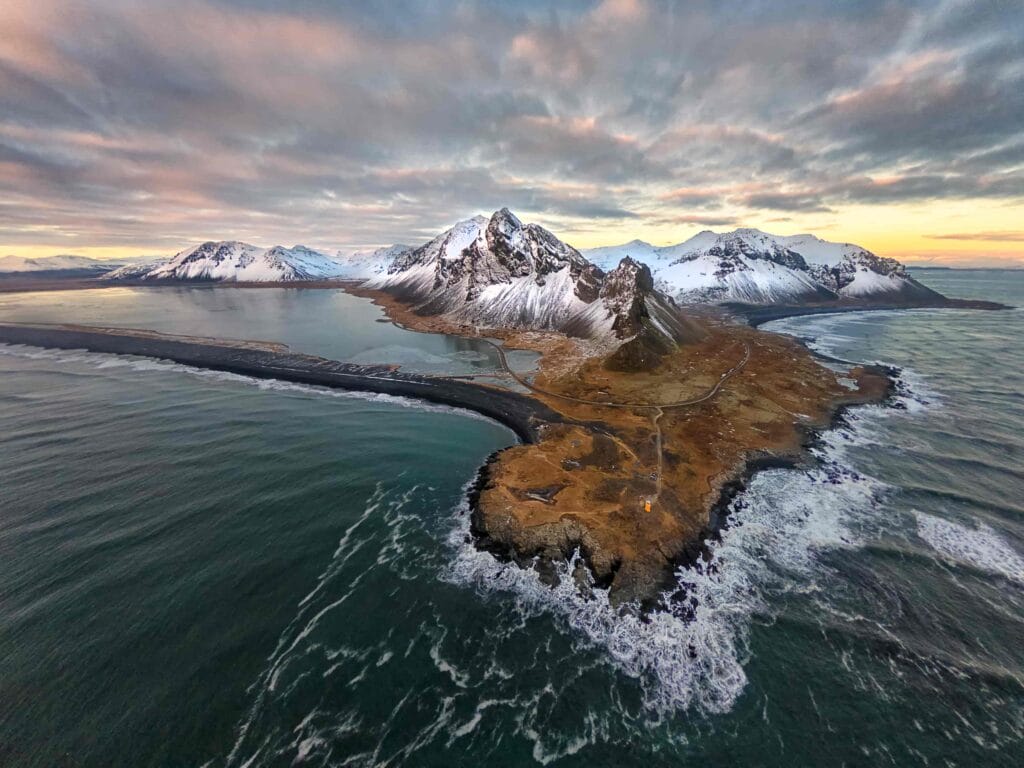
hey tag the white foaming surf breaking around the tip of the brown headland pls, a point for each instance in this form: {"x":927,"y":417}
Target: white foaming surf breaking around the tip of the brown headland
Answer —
{"x":694,"y":656}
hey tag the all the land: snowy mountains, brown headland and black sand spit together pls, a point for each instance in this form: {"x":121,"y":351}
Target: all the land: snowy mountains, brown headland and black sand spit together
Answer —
{"x":646,"y":414}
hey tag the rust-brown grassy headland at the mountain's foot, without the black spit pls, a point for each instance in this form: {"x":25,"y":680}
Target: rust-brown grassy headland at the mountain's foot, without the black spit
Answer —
{"x":582,"y":490}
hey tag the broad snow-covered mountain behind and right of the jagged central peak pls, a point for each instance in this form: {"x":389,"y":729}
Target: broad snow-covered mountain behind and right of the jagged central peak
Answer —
{"x":752,"y":267}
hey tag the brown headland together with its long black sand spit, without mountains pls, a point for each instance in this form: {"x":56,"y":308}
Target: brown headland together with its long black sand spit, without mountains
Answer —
{"x":636,"y":569}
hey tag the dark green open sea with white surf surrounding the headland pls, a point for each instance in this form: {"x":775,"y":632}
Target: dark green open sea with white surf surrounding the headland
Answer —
{"x":201,"y":570}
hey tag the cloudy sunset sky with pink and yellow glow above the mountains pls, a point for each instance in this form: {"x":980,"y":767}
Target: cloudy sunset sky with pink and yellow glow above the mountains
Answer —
{"x":133,"y":129}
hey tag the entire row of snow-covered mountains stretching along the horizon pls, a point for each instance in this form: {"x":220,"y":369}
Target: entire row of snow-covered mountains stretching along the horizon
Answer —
{"x":497,"y":272}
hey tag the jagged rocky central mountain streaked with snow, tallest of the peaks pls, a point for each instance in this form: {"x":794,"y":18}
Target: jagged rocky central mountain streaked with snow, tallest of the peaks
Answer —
{"x":498,"y":272}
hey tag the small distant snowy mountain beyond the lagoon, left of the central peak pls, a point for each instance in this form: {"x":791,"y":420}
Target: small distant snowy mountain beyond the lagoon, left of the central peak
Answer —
{"x":232,"y":262}
